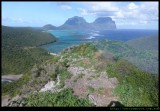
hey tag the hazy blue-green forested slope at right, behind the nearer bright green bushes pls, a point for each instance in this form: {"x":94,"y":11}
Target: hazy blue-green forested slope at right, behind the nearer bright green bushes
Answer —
{"x":144,"y":56}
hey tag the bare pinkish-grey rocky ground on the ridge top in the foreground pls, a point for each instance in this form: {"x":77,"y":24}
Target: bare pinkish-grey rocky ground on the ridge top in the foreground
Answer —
{"x":87,"y":77}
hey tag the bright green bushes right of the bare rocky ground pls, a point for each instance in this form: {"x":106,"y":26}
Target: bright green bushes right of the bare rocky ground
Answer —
{"x":136,"y":87}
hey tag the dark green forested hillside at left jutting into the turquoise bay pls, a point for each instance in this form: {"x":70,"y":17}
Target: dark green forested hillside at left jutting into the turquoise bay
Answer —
{"x":19,"y":48}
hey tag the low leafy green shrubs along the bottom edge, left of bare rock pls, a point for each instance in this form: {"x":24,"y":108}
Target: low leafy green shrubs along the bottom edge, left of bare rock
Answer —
{"x":64,"y":98}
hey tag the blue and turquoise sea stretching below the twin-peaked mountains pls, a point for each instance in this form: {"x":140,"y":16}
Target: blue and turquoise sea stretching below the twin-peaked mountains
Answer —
{"x":68,"y":38}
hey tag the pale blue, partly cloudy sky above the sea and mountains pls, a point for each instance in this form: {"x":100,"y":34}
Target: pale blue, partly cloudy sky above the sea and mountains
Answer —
{"x":127,"y":15}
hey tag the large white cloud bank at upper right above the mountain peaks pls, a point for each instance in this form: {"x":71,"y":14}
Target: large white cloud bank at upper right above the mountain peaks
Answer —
{"x":125,"y":13}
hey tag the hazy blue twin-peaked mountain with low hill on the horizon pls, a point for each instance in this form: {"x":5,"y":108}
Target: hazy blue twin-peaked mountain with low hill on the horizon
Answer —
{"x":101,"y":23}
